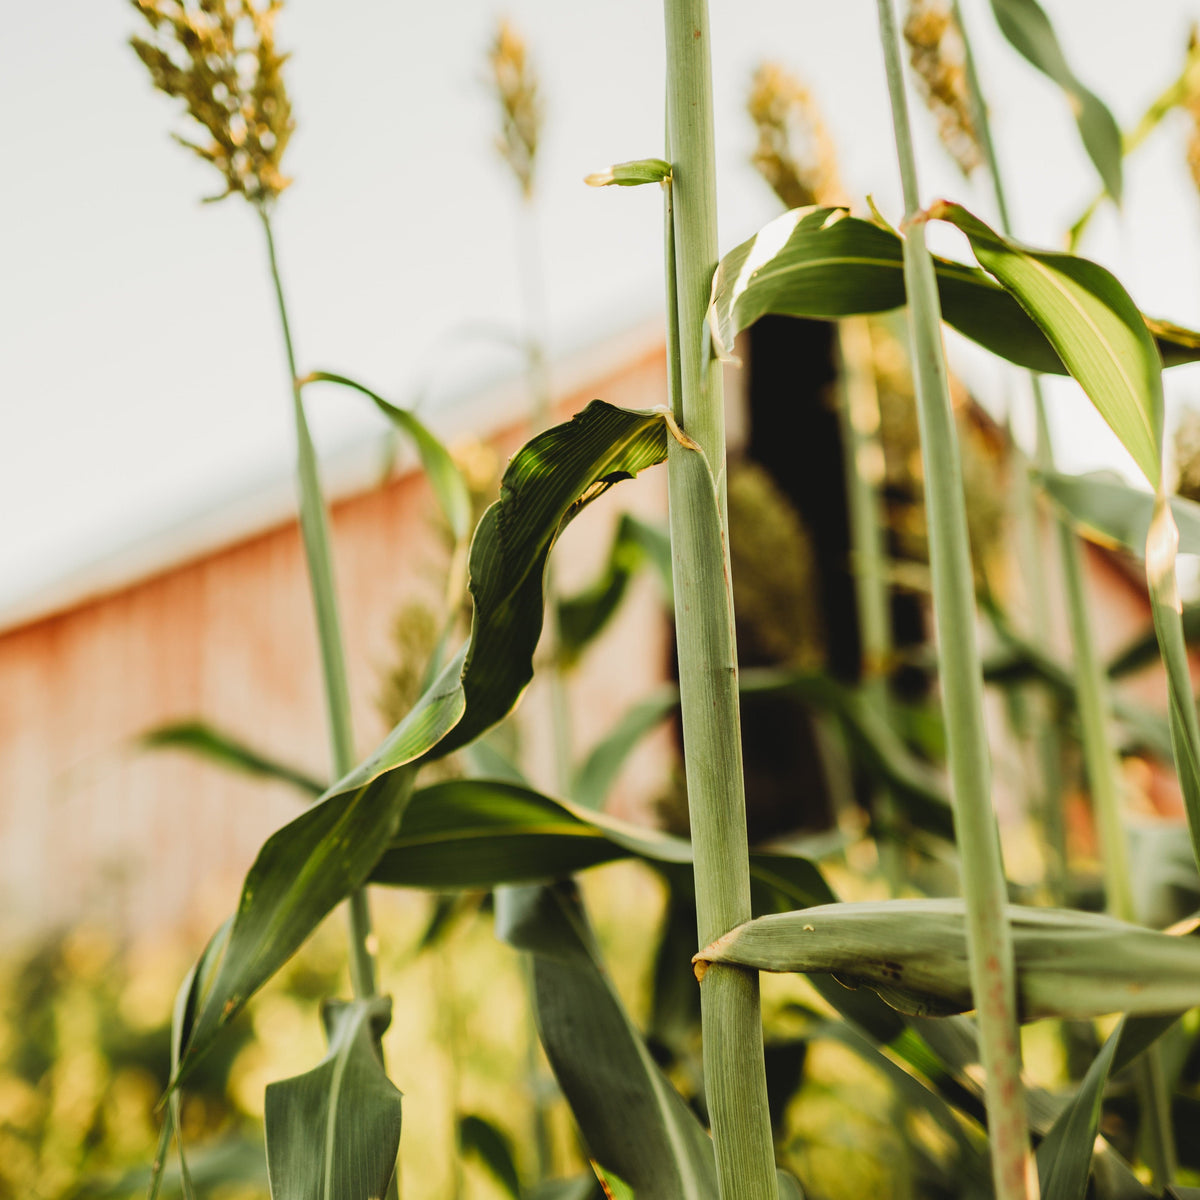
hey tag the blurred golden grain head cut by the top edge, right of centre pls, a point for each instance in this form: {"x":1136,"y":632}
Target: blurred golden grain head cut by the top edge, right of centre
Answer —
{"x":938,"y":55}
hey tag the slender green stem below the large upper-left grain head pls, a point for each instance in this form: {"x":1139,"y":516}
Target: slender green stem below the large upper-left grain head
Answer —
{"x":315,"y":530}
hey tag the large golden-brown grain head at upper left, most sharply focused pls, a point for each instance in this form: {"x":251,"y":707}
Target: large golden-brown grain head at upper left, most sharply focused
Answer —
{"x":220,"y":58}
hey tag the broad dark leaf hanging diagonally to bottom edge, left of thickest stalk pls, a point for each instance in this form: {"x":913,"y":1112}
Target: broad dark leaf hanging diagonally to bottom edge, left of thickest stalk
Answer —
{"x":631,"y":1117}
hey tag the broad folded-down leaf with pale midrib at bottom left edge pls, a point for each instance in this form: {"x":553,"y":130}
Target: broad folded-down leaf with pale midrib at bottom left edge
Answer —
{"x":334,"y":1132}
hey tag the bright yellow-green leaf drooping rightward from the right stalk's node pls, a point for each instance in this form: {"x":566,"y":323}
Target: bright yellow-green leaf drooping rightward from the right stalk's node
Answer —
{"x":1094,"y":327}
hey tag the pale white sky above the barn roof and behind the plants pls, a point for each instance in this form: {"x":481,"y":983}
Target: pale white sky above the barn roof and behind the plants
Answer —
{"x":143,"y":379}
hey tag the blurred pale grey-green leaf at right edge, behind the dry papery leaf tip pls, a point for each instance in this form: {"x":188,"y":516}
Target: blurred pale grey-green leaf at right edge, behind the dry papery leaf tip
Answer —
{"x":1109,"y":511}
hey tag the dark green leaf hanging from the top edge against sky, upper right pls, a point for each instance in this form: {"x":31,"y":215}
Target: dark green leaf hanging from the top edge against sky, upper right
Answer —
{"x":1028,"y":28}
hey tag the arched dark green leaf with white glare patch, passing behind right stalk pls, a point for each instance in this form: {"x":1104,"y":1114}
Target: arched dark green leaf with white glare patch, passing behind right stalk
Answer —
{"x":825,"y":265}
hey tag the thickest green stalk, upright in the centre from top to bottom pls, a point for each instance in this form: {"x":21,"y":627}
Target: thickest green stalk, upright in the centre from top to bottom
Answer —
{"x":735,"y":1075}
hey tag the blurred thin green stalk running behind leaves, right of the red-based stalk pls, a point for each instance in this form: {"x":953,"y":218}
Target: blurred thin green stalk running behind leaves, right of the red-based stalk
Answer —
{"x":1093,"y":700}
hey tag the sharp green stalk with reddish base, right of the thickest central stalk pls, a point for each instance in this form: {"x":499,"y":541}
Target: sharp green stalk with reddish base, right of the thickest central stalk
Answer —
{"x":989,"y":938}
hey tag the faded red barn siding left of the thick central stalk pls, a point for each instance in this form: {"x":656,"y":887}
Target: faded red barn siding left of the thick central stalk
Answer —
{"x":93,"y":827}
